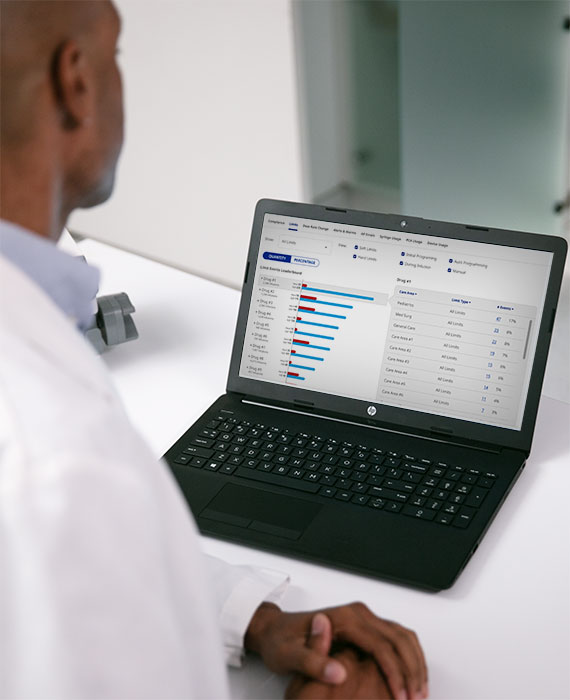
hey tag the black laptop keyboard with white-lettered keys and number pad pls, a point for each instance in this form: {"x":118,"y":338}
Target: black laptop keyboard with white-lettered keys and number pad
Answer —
{"x":355,"y":473}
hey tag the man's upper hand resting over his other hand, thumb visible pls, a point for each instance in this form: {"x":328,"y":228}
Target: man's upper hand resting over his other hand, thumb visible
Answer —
{"x":286,"y":643}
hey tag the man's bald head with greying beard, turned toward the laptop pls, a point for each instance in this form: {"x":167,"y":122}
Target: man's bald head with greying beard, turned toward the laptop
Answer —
{"x":61,"y":99}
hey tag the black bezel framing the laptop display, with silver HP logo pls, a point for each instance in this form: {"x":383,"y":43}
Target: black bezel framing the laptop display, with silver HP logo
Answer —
{"x":390,"y":417}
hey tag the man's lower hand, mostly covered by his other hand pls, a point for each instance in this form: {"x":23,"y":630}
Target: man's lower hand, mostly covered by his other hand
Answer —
{"x":364,"y":680}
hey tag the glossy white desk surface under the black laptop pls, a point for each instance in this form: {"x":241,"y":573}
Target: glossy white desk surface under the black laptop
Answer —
{"x":503,"y":630}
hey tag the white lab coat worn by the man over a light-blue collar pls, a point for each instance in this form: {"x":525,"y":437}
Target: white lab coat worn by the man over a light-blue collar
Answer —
{"x":103,"y":588}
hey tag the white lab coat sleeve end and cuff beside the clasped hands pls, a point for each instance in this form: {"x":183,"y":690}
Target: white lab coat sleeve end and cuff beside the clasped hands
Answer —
{"x":238,"y":591}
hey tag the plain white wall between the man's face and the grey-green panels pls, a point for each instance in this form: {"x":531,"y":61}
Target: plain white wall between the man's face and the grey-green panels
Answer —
{"x":211,"y":127}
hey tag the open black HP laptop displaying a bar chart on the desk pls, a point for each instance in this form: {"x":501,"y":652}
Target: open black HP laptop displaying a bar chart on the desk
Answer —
{"x":382,"y":392}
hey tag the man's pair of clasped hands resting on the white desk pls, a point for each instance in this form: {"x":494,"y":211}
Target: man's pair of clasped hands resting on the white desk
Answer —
{"x":342,"y":652}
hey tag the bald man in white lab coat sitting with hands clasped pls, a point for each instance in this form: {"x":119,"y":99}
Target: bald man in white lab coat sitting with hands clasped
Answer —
{"x":104,"y":592}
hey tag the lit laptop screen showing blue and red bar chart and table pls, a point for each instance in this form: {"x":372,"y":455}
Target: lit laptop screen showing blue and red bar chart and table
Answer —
{"x":427,"y":323}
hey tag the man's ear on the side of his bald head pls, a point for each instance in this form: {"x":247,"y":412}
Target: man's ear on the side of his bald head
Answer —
{"x":72,"y":85}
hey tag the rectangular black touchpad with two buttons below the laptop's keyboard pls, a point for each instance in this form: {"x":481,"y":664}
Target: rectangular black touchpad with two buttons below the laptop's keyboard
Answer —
{"x":283,"y":516}
